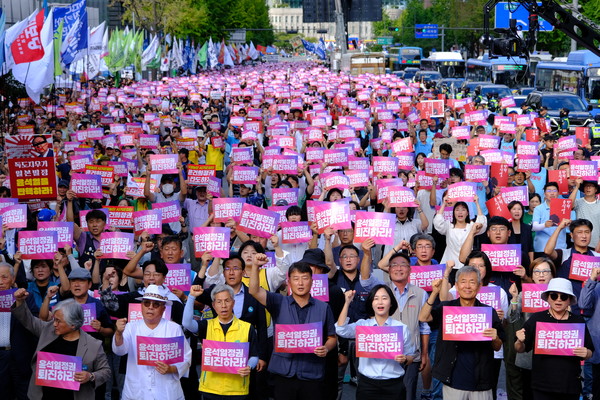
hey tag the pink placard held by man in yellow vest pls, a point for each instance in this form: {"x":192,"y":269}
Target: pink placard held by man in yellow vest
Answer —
{"x":224,"y":357}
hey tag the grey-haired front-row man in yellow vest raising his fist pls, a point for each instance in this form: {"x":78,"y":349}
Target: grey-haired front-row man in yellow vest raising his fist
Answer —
{"x":226,"y":327}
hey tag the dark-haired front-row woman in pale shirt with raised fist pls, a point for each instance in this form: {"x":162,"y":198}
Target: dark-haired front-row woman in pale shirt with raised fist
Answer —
{"x":381,"y":374}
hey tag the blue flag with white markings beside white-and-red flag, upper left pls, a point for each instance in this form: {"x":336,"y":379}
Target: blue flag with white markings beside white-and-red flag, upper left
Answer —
{"x":75,"y":29}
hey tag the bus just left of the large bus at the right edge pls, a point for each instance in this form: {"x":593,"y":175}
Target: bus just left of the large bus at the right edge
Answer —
{"x":502,"y":70}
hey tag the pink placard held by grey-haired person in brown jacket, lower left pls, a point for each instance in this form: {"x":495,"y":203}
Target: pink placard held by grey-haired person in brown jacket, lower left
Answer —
{"x":57,"y":370}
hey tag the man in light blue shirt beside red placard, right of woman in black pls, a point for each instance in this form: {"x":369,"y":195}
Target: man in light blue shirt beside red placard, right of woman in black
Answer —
{"x":542,"y":225}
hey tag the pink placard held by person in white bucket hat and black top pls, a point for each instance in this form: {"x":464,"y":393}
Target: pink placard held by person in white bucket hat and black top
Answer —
{"x":553,"y":338}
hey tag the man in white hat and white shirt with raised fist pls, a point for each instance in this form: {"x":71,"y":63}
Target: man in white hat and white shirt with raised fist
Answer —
{"x":161,"y":379}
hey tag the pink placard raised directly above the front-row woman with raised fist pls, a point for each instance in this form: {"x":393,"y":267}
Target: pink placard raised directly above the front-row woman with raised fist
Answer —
{"x":375,"y":225}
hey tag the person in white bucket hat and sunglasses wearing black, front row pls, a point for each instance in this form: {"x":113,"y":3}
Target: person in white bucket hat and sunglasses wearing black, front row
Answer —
{"x":556,"y":376}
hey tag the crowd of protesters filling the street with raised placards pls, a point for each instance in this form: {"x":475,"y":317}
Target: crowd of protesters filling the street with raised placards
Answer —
{"x":306,"y":111}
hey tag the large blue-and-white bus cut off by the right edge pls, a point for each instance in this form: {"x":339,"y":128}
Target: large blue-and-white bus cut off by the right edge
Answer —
{"x":579,"y":75}
